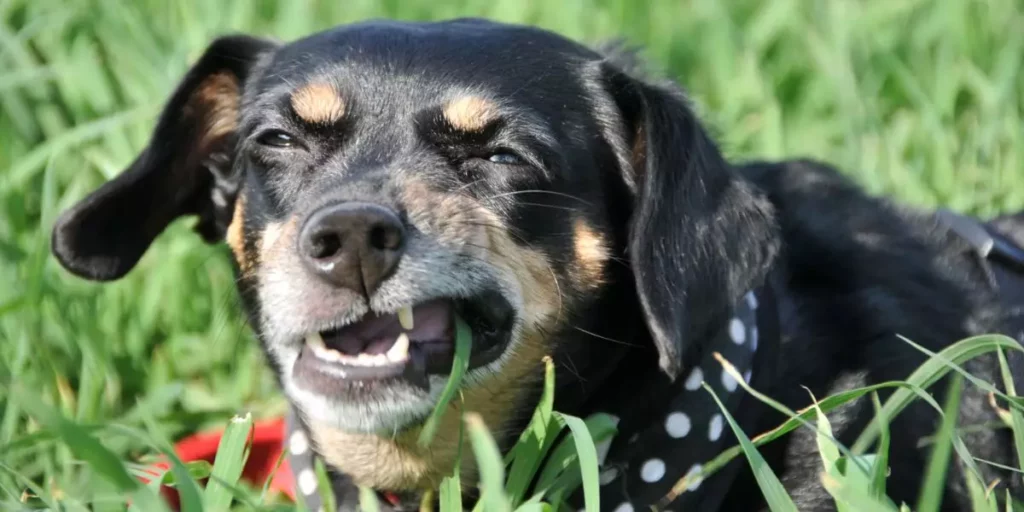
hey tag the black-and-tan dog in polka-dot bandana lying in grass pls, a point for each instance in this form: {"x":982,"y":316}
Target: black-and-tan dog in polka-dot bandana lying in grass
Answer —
{"x":382,"y":184}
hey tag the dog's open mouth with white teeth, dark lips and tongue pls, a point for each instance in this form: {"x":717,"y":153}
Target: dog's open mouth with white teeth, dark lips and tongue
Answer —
{"x":413,"y":344}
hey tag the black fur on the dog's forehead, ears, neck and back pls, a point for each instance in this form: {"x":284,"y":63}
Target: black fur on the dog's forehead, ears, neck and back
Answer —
{"x":695,"y":232}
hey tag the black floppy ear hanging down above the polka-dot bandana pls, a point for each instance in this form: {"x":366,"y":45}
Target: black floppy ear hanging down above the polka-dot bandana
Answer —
{"x":700,"y":236}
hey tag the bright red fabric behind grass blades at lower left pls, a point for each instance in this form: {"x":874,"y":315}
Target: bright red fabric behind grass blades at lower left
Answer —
{"x":268,"y":445}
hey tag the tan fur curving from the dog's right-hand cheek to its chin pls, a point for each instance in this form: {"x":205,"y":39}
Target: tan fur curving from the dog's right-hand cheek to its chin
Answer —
{"x":398,"y":463}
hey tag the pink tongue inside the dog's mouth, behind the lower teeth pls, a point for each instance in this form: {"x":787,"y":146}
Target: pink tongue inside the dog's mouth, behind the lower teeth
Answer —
{"x":432,"y":322}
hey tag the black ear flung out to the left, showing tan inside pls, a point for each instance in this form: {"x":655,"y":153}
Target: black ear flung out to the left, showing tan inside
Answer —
{"x":186,"y":170}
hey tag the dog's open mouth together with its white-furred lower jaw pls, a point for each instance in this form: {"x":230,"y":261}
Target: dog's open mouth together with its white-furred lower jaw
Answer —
{"x":386,"y":373}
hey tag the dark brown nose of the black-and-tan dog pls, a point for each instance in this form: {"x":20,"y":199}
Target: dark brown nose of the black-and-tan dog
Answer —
{"x":353,"y":245}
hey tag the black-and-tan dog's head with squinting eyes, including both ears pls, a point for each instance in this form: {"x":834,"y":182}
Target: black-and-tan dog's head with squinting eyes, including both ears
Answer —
{"x":377,"y":182}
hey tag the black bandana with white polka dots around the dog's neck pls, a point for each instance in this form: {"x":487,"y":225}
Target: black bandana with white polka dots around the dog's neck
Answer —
{"x":658,"y":446}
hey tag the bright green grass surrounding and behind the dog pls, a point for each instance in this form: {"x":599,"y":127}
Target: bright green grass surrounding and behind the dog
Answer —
{"x":921,"y":100}
